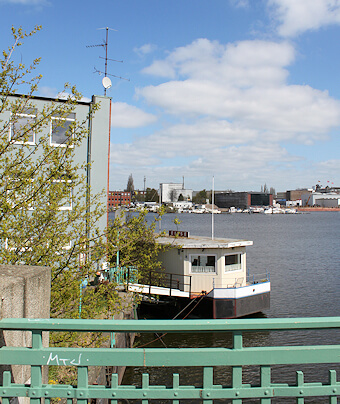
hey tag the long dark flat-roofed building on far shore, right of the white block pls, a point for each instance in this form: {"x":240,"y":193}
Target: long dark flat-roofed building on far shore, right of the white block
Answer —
{"x":242,"y":200}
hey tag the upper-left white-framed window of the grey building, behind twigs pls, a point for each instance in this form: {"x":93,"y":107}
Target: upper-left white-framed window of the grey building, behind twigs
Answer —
{"x":21,"y":131}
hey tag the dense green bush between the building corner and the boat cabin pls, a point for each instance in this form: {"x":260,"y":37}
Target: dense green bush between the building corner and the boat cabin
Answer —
{"x":136,"y":242}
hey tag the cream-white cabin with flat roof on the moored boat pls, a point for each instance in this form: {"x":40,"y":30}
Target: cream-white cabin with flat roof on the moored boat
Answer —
{"x":211,"y":263}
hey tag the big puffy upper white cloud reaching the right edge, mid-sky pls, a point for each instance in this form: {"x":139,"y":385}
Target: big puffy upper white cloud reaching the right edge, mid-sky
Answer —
{"x":245,"y":83}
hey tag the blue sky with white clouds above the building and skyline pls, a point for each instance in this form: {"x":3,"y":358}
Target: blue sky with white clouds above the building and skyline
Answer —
{"x":243,"y":91}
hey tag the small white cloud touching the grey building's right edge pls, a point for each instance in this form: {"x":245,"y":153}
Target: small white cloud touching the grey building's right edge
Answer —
{"x":128,"y":116}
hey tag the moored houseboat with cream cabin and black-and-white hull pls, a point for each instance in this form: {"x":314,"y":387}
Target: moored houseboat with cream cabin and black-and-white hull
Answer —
{"x":211,"y":272}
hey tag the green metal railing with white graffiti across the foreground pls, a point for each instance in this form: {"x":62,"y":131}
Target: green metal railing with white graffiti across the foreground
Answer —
{"x":207,"y":358}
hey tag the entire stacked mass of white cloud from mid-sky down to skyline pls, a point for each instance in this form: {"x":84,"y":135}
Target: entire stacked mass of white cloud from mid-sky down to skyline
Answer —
{"x":230,"y":110}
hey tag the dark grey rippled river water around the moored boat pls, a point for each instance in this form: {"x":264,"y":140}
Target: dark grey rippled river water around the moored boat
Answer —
{"x":302,"y":254}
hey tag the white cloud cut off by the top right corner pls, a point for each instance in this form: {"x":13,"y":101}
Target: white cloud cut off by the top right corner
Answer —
{"x":297,"y":16}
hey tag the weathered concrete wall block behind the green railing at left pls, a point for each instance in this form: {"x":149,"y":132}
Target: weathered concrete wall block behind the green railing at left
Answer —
{"x":25,"y":293}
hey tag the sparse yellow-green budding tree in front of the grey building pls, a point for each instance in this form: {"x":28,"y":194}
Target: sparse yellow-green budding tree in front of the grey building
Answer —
{"x":36,"y":180}
